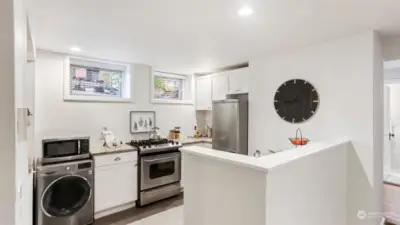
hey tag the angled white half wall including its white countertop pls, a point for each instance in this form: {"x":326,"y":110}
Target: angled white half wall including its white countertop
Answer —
{"x":306,"y":186}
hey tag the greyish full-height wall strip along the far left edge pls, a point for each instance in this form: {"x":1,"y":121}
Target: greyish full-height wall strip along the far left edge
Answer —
{"x":7,"y":114}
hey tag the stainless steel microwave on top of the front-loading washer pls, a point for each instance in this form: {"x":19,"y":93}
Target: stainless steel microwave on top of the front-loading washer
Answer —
{"x":65,"y":149}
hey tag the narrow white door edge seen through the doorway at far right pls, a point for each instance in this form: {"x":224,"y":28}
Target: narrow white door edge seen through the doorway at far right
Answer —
{"x":387,"y":132}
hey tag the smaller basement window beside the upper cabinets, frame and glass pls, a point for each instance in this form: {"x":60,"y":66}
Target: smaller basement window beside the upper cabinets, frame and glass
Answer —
{"x":171,"y":88}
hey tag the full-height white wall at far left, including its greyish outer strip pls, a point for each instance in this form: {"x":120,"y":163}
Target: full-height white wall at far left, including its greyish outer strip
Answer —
{"x":14,"y":157}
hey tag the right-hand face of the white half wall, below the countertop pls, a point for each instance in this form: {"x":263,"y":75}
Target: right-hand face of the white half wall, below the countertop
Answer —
{"x":309,"y":190}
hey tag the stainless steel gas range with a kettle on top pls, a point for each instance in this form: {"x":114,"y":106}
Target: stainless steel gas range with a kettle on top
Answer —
{"x":159,"y":169}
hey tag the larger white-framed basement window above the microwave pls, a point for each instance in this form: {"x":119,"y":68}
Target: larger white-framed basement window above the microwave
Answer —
{"x":94,"y":80}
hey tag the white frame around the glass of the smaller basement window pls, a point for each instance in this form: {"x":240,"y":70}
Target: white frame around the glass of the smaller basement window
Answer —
{"x":189,"y":90}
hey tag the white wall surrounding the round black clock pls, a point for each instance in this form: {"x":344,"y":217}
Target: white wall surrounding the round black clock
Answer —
{"x":343,"y":71}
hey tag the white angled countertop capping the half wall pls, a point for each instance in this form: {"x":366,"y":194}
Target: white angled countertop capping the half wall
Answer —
{"x":268,"y":162}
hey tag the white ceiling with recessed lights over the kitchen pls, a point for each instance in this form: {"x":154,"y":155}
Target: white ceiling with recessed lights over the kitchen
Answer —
{"x":196,"y":35}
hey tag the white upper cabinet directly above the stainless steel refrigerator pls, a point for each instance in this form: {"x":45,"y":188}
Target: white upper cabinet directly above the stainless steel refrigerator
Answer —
{"x":238,"y":80}
